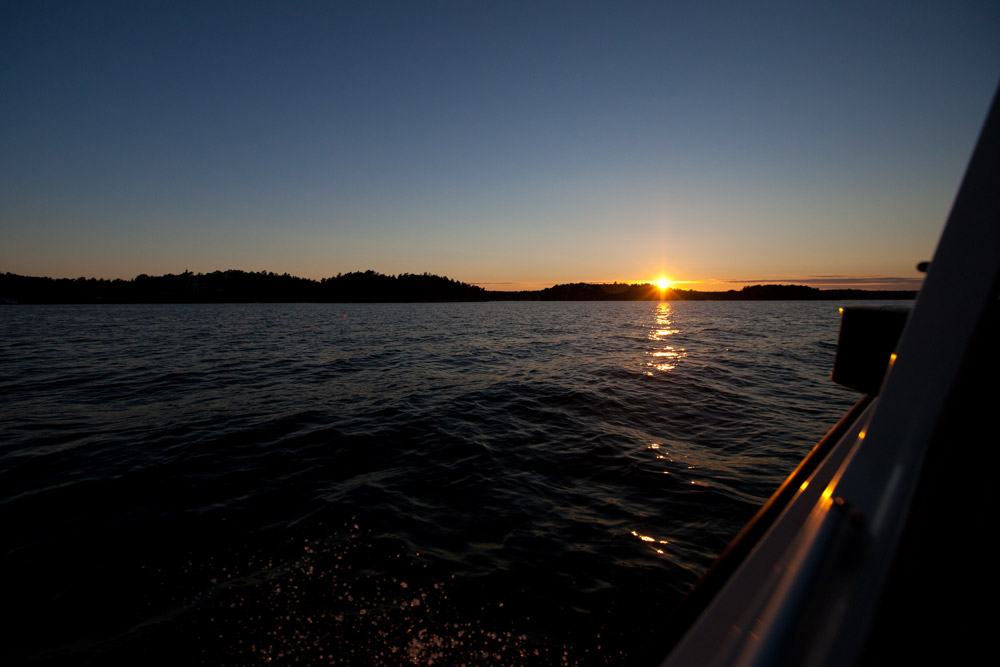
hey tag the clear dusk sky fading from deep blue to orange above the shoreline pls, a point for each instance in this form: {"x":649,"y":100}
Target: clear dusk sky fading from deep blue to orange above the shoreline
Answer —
{"x":507,"y":144}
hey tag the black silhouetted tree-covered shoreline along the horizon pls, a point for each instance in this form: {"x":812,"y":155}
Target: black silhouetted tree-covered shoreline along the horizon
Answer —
{"x":234,"y":286}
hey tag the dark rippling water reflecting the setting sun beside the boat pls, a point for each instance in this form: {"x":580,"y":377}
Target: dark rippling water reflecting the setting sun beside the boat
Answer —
{"x":475,"y":483}
